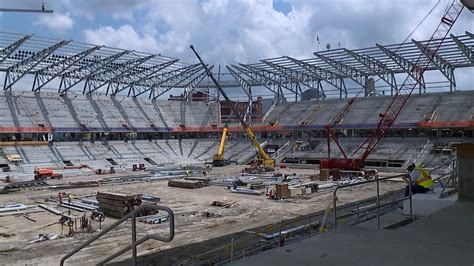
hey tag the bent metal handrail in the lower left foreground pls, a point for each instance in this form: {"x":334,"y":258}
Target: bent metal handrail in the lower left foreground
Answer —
{"x":135,"y":242}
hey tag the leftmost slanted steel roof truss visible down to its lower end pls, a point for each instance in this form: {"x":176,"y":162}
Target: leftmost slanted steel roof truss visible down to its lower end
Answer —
{"x":17,"y":71}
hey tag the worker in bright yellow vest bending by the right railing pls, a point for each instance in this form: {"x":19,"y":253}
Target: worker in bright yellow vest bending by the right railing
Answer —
{"x":421,"y":181}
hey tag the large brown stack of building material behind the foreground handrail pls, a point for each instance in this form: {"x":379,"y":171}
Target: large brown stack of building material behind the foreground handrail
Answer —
{"x":116,"y":204}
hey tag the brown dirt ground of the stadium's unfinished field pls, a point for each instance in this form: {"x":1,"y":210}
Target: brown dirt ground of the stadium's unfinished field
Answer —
{"x":189,"y":206}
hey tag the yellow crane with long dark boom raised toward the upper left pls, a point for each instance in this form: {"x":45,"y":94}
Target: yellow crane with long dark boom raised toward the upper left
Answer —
{"x":263,"y":159}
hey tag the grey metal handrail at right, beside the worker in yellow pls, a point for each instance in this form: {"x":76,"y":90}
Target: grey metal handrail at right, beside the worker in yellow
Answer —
{"x":378,"y":206}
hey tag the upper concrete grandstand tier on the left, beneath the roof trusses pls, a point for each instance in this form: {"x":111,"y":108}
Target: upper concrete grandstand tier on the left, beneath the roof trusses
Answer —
{"x":50,"y":112}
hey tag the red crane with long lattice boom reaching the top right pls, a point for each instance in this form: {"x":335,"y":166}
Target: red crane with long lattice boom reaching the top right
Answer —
{"x":387,"y":118}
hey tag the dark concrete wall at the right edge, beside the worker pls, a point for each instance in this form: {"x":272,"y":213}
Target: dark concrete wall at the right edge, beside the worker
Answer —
{"x":466,"y":171}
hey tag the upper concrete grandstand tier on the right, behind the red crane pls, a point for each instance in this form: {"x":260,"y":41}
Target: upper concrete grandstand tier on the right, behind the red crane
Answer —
{"x":454,"y":109}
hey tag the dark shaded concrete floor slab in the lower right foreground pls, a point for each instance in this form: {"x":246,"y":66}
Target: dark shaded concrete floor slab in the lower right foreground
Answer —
{"x":444,"y":238}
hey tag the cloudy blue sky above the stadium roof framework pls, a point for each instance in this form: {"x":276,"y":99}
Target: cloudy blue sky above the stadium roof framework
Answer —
{"x":230,"y":31}
